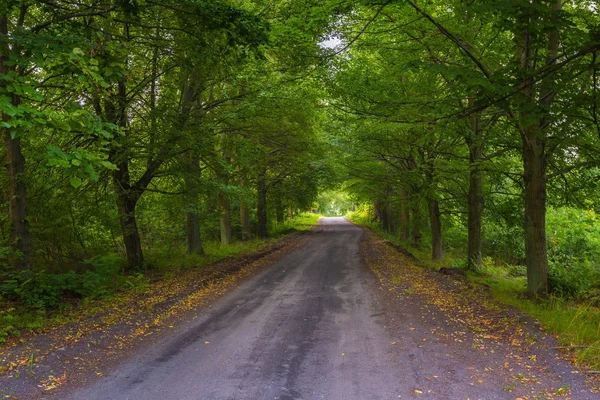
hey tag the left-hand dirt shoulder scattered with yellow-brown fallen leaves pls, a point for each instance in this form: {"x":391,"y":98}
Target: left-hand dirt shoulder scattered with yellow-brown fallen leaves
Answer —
{"x":73,"y":353}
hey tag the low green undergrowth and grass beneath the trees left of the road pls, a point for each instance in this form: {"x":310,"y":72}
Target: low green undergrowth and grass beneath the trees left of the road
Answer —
{"x":35,"y":301}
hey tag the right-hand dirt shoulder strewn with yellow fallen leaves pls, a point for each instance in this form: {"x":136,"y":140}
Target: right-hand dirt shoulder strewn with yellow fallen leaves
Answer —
{"x":460,"y":336}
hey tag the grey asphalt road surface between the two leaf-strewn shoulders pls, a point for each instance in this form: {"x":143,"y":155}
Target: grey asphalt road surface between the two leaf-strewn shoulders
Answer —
{"x":306,"y":328}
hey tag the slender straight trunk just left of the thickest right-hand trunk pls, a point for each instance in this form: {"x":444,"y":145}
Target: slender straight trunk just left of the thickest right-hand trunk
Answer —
{"x":475,"y":196}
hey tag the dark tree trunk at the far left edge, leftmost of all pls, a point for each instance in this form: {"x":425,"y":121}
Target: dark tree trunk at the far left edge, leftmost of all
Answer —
{"x":15,"y":165}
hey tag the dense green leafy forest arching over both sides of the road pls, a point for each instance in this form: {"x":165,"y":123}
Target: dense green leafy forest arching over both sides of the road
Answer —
{"x":139,"y":136}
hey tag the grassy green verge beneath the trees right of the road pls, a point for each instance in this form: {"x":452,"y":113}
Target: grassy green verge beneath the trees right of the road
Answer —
{"x":576,"y":324}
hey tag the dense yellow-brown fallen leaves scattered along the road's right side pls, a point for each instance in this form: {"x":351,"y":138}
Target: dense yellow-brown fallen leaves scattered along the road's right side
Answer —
{"x":490,"y":324}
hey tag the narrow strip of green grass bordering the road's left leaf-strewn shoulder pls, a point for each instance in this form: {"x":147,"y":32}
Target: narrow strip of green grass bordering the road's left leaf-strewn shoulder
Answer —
{"x":17,"y":319}
